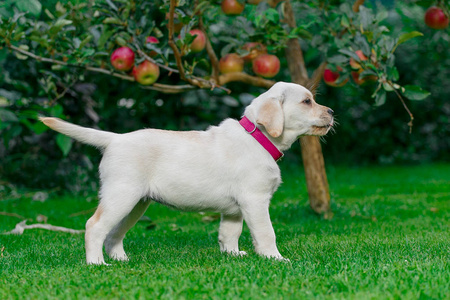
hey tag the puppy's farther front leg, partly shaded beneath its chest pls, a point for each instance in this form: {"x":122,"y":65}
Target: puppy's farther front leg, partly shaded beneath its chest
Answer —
{"x":229,"y":232}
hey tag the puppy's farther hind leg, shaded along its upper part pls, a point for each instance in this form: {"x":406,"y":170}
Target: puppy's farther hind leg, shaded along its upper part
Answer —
{"x":114,"y":240}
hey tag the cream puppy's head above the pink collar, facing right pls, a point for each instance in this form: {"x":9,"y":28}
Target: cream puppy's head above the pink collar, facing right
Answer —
{"x":289,"y":107}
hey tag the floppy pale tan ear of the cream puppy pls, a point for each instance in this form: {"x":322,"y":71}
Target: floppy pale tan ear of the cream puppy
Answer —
{"x":270,"y":115}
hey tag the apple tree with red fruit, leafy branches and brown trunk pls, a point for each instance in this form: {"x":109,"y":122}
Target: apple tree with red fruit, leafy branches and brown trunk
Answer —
{"x":175,"y":46}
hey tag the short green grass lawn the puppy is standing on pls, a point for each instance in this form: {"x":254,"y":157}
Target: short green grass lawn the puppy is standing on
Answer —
{"x":389,"y":238}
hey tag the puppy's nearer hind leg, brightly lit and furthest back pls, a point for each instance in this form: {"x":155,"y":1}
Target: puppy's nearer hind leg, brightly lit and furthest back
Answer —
{"x":116,"y":203}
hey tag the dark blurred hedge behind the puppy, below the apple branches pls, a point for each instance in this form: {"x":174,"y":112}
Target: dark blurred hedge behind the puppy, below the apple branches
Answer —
{"x":366,"y":134}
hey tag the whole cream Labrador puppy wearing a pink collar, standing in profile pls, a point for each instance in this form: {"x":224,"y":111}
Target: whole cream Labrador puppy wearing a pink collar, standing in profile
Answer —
{"x":230,"y":168}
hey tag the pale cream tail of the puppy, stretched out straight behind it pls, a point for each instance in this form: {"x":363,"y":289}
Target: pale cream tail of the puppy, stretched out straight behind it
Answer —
{"x":97,"y":138}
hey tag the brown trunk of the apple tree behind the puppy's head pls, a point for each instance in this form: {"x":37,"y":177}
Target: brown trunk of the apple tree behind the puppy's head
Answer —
{"x":316,"y":177}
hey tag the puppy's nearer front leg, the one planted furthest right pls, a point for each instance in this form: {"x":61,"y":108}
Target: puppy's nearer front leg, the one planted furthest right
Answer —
{"x":256,"y":216}
